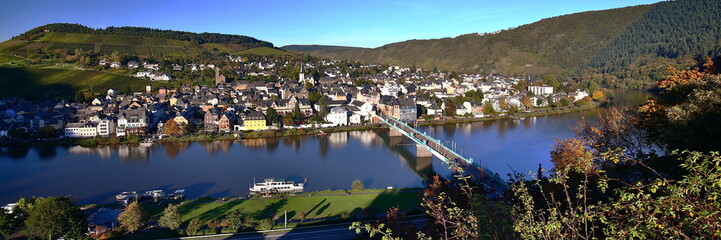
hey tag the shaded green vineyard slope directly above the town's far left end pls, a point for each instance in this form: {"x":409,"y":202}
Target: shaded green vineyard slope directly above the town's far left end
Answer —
{"x":51,"y":83}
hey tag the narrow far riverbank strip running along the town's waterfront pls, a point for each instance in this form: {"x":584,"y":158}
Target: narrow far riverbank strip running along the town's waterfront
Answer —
{"x":271,"y":133}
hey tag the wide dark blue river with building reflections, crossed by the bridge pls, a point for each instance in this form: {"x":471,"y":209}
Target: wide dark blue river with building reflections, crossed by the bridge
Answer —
{"x":227,"y":168}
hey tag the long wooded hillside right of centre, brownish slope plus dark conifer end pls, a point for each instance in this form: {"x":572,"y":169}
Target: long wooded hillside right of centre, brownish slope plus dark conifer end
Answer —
{"x":566,"y":44}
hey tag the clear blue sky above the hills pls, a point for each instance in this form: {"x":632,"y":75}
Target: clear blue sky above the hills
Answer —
{"x":368,"y":23}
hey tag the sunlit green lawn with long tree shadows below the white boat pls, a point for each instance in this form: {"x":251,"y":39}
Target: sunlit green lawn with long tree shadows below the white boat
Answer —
{"x":315,"y":207}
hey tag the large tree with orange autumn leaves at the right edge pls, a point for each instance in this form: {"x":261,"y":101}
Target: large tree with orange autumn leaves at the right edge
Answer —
{"x":686,"y":113}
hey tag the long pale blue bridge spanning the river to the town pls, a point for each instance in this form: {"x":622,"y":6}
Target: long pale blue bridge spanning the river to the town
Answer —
{"x":427,"y":146}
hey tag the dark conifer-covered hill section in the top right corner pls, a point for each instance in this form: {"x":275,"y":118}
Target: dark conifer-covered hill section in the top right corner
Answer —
{"x":670,"y":30}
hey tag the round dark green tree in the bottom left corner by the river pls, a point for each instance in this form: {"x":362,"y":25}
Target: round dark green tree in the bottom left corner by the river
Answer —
{"x":54,"y":217}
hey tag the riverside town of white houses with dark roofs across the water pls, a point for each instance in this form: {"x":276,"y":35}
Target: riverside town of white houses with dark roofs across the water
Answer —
{"x":330,"y":98}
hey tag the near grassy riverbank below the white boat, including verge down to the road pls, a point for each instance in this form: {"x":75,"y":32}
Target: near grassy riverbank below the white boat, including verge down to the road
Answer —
{"x":303,"y":209}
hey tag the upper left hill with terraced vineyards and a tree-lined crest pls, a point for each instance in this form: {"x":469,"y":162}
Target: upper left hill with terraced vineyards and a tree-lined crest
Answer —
{"x":130,"y":40}
